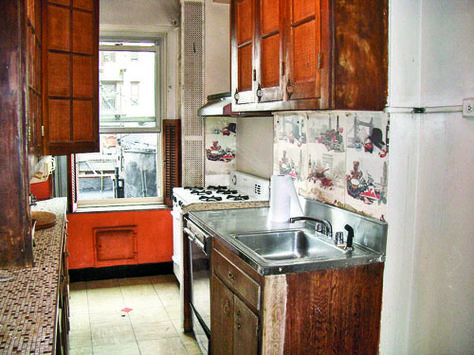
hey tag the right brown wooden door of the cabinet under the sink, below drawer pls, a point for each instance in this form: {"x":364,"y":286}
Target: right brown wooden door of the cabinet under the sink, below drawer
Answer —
{"x":245,"y":329}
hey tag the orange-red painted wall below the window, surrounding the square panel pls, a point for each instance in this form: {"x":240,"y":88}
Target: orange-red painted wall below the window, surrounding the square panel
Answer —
{"x":154,"y":235}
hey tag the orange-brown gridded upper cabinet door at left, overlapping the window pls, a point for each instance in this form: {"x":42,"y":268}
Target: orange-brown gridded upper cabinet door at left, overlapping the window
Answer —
{"x":70,"y":76}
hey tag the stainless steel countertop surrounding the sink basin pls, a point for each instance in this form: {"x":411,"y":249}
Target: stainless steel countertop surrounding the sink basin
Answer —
{"x":223,"y":224}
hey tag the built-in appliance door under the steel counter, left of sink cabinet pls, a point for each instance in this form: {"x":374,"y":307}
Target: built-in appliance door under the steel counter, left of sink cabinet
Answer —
{"x":200,"y":290}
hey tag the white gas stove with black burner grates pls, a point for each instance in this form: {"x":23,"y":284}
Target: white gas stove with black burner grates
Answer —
{"x":244,"y":191}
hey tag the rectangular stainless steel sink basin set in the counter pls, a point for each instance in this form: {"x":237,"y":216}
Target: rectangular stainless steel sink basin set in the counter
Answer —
{"x":287,"y":245}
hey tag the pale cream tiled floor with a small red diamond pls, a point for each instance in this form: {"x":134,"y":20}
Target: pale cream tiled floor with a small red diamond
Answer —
{"x":100,"y":323}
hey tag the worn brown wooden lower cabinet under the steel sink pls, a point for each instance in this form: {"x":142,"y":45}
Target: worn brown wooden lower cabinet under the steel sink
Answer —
{"x":331,"y":311}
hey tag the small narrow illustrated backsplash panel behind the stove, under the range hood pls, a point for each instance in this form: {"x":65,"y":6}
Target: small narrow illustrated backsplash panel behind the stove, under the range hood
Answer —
{"x":220,"y":145}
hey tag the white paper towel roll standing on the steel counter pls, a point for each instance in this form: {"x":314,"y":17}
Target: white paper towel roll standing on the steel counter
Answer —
{"x":284,"y":202}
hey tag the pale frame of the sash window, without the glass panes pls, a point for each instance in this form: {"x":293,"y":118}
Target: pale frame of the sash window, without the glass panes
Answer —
{"x":159,"y":48}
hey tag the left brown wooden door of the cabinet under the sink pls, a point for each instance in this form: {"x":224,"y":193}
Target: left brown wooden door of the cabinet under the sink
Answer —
{"x":222,"y":318}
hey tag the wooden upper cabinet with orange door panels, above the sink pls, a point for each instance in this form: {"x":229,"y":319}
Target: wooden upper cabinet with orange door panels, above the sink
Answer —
{"x":311,"y":54}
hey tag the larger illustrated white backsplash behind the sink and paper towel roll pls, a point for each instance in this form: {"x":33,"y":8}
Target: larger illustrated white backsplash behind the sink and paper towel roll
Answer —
{"x":340,"y":158}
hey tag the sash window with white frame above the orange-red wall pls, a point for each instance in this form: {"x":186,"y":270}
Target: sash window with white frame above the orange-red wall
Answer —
{"x":127,"y":169}
